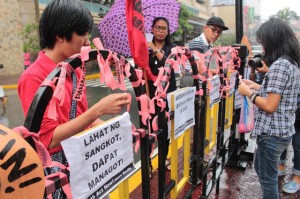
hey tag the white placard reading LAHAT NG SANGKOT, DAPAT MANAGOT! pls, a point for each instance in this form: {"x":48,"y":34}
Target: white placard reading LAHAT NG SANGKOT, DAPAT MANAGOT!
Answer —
{"x":100,"y":158}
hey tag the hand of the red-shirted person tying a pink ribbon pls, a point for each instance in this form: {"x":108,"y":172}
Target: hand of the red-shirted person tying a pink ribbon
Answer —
{"x":112,"y":104}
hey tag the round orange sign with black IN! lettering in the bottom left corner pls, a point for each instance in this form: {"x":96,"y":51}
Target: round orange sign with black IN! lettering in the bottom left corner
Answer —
{"x":21,"y":170}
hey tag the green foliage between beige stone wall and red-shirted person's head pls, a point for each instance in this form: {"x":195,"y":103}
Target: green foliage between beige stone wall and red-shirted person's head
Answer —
{"x":31,"y":40}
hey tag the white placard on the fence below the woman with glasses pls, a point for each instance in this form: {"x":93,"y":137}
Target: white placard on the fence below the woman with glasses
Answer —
{"x":184,"y":109}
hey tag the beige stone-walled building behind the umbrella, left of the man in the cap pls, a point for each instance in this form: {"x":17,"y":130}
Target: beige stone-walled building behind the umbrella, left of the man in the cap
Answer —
{"x":16,"y":14}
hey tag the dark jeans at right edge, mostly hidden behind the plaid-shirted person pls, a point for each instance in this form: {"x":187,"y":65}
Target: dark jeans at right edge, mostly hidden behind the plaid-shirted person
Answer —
{"x":296,"y":148}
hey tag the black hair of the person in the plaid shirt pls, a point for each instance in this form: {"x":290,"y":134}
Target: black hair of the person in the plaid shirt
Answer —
{"x":278,"y":40}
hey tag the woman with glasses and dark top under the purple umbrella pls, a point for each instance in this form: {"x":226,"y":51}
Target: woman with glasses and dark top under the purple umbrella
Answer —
{"x":160,"y":48}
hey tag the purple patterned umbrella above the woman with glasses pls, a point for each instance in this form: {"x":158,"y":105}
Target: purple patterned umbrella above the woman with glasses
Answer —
{"x":113,"y":30}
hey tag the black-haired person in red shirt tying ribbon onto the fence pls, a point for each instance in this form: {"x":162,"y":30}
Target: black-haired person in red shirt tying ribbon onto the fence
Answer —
{"x":59,"y":40}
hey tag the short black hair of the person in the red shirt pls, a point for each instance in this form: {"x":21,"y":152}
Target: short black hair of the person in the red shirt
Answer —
{"x":62,"y":18}
